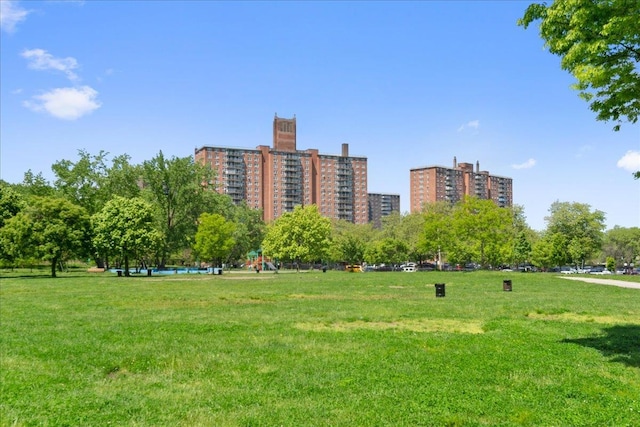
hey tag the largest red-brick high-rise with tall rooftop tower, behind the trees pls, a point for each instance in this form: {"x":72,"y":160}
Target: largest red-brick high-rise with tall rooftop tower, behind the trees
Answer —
{"x":276,"y":179}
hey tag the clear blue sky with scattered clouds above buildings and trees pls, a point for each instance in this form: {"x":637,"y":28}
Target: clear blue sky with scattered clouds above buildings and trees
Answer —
{"x":406,"y":84}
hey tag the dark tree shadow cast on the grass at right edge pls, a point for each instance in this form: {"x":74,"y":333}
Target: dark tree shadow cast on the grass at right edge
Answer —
{"x":620,"y":343}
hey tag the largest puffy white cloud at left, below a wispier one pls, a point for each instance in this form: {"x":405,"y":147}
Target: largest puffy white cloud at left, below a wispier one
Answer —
{"x":67,"y":103}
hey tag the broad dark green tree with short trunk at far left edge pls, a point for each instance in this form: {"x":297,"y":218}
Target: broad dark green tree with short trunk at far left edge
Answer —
{"x":50,"y":229}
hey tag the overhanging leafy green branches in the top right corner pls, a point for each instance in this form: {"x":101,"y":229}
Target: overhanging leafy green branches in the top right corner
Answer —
{"x":599,"y":43}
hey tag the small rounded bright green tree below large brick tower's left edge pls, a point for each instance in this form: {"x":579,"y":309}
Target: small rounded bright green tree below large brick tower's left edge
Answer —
{"x":214,"y":239}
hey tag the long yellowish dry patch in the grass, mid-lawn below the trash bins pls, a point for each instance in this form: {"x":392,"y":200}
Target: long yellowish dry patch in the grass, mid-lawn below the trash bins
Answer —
{"x":416,"y":325}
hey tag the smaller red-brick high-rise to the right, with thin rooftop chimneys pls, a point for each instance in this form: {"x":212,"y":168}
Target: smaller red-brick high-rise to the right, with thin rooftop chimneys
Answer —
{"x":438,"y":183}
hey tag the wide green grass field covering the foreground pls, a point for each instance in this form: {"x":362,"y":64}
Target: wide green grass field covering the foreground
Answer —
{"x":314,"y":349}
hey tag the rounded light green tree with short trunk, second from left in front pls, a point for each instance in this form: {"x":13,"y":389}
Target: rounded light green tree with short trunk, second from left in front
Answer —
{"x":125,"y":227}
